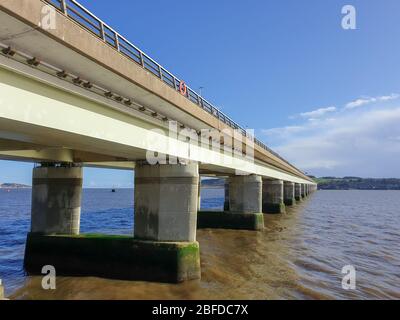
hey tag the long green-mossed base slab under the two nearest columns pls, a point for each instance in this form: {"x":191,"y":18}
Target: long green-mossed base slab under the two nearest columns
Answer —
{"x":116,"y":257}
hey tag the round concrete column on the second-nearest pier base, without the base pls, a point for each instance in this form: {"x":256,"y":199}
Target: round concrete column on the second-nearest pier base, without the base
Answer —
{"x":245,"y":194}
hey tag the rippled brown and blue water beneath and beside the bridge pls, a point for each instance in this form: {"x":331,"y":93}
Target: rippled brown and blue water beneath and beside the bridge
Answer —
{"x":300,"y":255}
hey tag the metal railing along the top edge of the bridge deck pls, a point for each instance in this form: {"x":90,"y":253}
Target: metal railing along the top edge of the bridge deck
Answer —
{"x":93,"y":24}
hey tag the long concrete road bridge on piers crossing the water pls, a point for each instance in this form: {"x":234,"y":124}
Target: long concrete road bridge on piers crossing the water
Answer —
{"x":75,"y":93}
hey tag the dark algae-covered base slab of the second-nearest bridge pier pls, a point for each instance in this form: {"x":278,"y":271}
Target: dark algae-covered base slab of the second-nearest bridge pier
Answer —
{"x":228,"y":220}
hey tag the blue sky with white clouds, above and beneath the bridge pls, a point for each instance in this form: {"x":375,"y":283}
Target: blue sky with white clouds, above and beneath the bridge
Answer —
{"x":324,"y":97}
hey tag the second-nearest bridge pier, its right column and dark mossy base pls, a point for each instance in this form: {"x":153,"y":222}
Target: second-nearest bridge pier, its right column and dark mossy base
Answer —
{"x":245,"y":204}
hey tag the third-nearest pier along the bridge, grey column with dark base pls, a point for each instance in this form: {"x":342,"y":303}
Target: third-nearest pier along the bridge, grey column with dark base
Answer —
{"x":273,"y":196}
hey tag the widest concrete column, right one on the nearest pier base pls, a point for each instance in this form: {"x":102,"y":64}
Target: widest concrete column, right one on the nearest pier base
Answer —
{"x":166,"y":199}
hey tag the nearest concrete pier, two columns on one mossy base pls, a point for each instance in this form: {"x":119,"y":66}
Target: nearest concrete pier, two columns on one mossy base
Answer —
{"x":163,"y":249}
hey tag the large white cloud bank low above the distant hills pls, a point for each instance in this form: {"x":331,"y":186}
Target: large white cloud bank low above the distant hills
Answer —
{"x":363,"y":143}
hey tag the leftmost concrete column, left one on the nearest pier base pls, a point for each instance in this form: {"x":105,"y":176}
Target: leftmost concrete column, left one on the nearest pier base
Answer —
{"x":56,"y":200}
